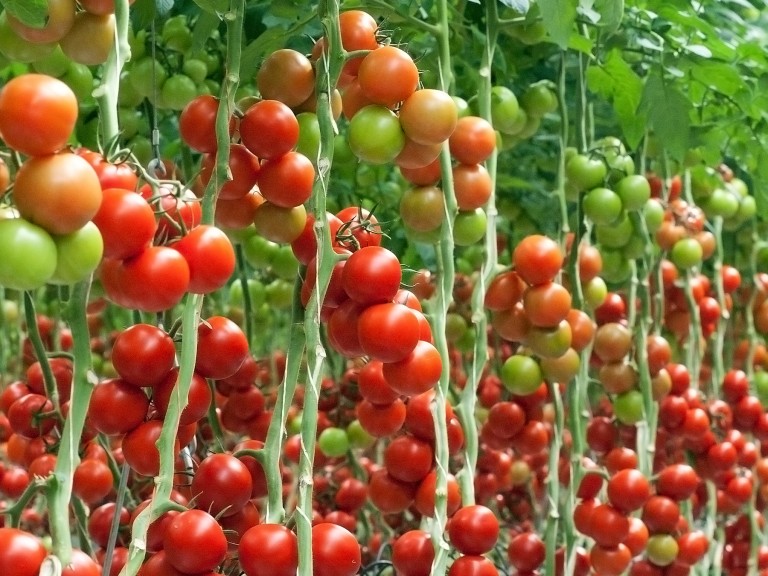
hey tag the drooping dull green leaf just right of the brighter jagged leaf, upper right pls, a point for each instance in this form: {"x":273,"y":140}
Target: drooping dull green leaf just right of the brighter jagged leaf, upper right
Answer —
{"x":668,"y":112}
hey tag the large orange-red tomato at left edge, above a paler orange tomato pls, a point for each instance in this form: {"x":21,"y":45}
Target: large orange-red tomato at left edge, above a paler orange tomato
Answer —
{"x":37,"y":114}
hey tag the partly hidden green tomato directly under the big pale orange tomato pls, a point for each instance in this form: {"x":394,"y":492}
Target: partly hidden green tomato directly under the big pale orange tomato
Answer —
{"x":78,"y":254}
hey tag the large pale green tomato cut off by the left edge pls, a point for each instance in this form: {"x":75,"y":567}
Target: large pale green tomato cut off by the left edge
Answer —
{"x":27,"y":255}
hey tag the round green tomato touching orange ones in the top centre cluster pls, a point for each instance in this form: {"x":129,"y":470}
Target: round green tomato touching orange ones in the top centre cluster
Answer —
{"x":375,"y":135}
